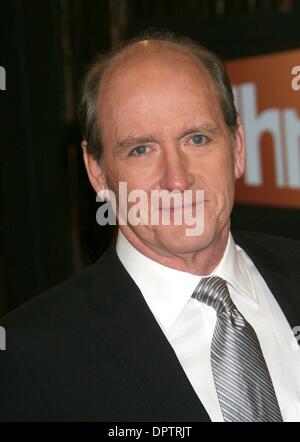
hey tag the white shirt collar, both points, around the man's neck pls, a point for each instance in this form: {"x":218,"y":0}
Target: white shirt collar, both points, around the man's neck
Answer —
{"x":167,"y":290}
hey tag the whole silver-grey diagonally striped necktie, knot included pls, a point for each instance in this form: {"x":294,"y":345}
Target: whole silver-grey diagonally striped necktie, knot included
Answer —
{"x":243,"y":383}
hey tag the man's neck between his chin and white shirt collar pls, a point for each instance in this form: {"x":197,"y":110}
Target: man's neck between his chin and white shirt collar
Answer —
{"x":200,"y":262}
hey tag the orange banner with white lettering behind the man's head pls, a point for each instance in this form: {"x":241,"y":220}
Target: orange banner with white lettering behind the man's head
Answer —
{"x":267,"y":95}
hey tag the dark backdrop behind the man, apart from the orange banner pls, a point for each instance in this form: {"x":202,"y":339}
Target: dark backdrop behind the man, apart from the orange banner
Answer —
{"x":48,"y":227}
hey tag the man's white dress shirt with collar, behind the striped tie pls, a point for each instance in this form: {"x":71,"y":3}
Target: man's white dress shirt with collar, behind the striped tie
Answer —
{"x":189,"y":324}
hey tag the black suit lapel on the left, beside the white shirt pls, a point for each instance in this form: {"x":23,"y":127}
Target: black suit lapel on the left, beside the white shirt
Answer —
{"x":132,"y":334}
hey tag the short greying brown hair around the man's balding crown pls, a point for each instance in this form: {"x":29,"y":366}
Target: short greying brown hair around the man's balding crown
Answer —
{"x":91,"y":84}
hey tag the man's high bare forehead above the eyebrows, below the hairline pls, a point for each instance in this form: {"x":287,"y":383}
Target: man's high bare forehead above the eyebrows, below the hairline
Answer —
{"x":144,"y":72}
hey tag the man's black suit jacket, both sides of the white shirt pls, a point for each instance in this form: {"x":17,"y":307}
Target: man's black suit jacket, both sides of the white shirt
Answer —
{"x":91,"y":349}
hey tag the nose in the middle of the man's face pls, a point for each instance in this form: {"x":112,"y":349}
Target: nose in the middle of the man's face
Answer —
{"x":175,"y":171}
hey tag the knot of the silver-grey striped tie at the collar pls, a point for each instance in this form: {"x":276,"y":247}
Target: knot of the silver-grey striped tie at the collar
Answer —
{"x":213,"y":291}
